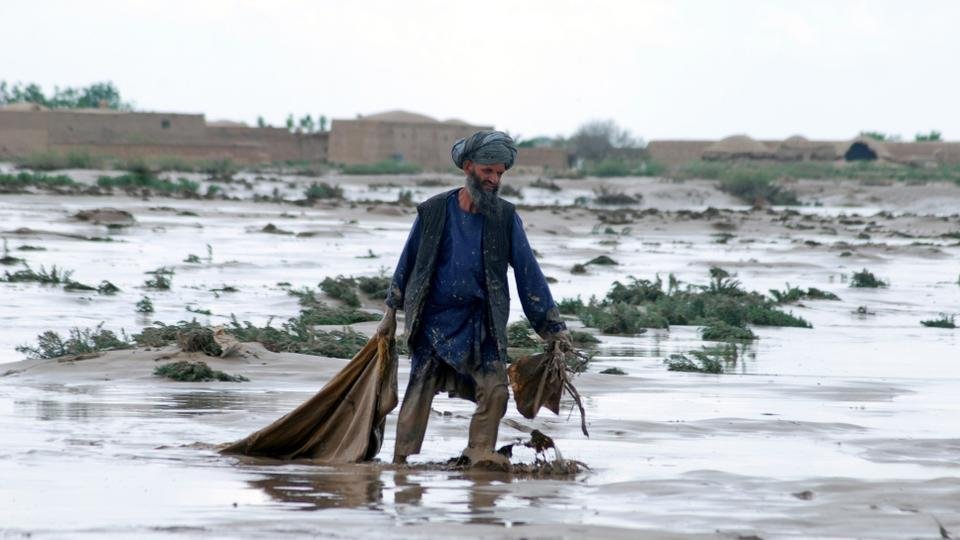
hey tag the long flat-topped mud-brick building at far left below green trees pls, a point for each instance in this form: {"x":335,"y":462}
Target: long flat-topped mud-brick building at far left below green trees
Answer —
{"x":28,"y":128}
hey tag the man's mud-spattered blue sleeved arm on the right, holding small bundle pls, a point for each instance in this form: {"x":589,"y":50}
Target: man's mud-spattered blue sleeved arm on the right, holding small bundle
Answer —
{"x":535,"y":297}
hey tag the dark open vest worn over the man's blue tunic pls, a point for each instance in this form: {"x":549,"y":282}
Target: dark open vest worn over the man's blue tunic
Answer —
{"x":496,"y":254}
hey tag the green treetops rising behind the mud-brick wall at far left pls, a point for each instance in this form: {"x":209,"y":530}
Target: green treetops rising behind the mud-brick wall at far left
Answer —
{"x":100,"y":95}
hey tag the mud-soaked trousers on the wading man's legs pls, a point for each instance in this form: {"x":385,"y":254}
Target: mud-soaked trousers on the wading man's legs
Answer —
{"x":491,"y":397}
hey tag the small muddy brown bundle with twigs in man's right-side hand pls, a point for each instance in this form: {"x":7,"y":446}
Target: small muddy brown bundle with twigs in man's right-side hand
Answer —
{"x":539,"y":380}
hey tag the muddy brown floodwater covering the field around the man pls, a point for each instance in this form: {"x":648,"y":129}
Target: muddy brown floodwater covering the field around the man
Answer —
{"x":849,"y":429}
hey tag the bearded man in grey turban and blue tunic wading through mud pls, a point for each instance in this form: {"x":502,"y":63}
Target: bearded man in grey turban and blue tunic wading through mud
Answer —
{"x":451,"y":283}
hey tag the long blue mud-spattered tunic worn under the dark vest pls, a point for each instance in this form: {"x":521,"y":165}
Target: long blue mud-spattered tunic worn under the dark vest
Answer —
{"x":454,"y":324}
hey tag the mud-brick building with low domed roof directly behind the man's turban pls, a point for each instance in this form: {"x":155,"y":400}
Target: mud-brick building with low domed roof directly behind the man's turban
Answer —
{"x":419,"y":139}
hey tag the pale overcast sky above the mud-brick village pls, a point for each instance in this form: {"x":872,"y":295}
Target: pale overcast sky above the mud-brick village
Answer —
{"x":662,"y":69}
